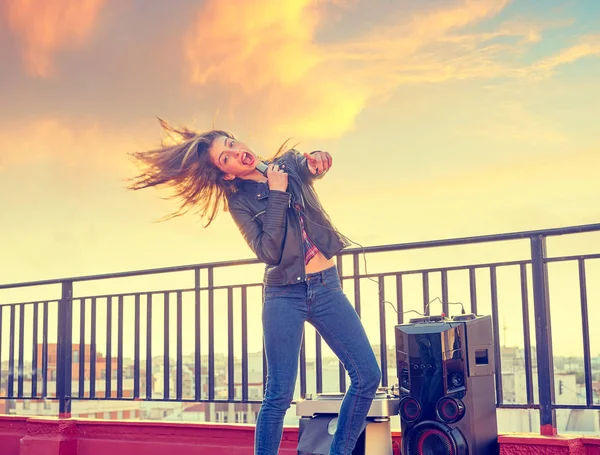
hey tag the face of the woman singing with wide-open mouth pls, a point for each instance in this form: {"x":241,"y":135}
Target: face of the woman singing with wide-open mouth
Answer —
{"x":234,"y":158}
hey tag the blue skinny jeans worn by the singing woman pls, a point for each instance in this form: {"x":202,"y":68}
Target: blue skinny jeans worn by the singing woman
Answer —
{"x":320,"y":301}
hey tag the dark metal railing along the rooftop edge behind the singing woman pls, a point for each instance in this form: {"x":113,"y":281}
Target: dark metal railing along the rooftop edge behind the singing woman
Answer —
{"x":200,"y":294}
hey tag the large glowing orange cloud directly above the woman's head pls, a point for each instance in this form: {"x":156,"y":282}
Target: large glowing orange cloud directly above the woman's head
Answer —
{"x":262,"y":56}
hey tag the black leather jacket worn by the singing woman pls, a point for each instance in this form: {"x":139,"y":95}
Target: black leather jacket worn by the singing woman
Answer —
{"x":269,"y":221}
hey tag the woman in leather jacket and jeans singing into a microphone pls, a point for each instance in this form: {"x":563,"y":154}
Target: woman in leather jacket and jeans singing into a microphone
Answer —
{"x":284,"y":224}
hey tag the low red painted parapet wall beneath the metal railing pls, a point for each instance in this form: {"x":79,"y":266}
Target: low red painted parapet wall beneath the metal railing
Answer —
{"x":51,"y":436}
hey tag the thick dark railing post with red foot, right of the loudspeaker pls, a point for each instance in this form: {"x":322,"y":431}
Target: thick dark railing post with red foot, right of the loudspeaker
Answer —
{"x":543,"y":332}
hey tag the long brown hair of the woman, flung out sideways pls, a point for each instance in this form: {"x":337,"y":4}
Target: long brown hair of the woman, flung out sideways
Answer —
{"x":184,"y":166}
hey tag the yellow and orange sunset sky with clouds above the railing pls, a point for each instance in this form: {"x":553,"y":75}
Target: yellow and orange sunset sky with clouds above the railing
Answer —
{"x":445,"y":118}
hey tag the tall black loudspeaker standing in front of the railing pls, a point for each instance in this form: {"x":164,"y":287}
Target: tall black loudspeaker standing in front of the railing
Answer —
{"x":446,"y":381}
